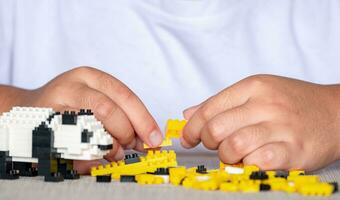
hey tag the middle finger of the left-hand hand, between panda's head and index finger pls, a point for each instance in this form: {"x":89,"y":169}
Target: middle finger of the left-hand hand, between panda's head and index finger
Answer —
{"x":110,"y":114}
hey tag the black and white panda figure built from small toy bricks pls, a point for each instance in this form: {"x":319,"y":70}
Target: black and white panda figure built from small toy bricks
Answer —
{"x":51,"y":140}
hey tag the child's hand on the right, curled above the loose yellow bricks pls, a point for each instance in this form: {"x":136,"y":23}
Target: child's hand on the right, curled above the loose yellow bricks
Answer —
{"x":269,"y":121}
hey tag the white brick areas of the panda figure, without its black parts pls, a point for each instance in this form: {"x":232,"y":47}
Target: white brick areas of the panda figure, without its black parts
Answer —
{"x":17,"y":125}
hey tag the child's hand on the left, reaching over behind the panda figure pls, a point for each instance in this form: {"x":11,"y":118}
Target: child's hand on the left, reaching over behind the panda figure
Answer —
{"x":123,"y":114}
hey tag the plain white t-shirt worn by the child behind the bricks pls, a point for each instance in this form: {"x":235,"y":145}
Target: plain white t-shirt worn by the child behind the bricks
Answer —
{"x":171,"y":53}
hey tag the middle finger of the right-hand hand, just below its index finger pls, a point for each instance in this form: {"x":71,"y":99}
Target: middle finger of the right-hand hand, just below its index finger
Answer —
{"x":227,"y":122}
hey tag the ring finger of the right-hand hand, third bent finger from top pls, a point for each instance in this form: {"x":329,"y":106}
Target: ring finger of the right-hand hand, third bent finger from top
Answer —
{"x":246,"y":140}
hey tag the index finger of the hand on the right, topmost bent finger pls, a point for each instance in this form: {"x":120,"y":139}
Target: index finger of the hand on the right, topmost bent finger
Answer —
{"x":229,"y":98}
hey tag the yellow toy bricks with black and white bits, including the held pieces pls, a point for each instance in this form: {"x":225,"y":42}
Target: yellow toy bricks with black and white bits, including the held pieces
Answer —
{"x":160,"y":167}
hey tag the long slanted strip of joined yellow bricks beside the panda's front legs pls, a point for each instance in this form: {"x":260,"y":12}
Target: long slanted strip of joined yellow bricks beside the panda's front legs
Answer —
{"x":149,"y":163}
